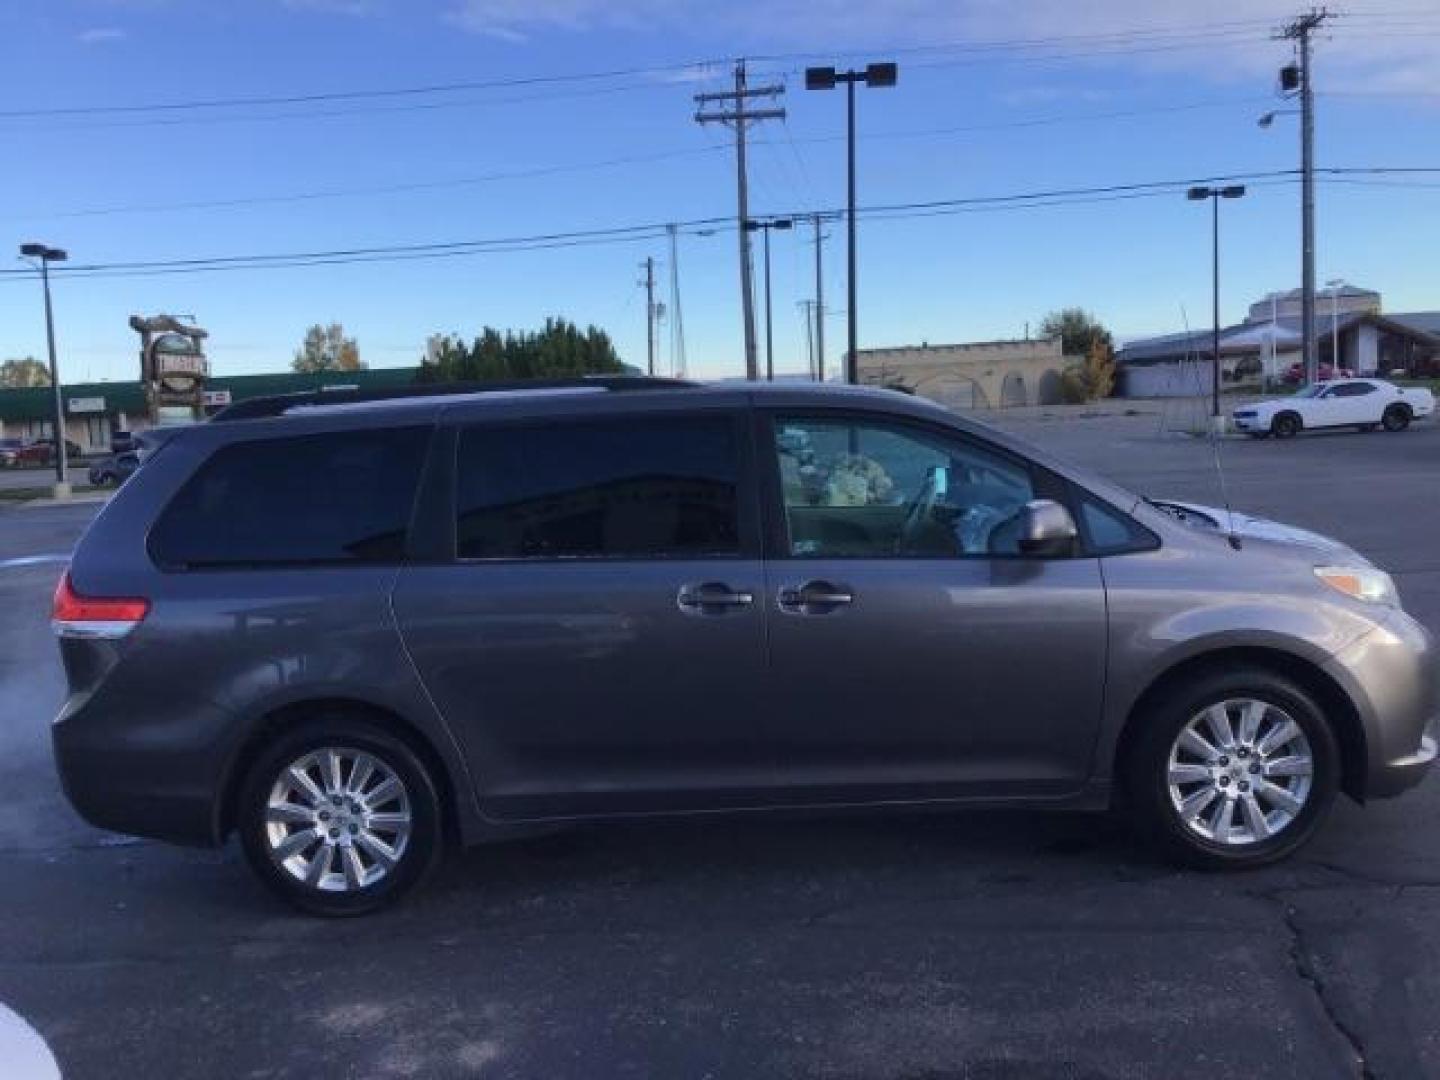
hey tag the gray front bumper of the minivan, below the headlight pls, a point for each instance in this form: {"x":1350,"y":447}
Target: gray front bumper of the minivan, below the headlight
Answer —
{"x":1392,"y":679}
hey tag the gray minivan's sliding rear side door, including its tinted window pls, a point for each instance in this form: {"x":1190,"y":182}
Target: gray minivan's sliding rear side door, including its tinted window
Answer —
{"x":595,"y":634}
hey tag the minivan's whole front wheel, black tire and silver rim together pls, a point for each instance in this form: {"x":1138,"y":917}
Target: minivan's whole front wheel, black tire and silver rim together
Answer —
{"x":1233,"y":771}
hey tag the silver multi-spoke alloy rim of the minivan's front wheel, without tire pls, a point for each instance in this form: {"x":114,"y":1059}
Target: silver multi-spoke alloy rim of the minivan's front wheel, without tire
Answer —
{"x":1241,"y":773}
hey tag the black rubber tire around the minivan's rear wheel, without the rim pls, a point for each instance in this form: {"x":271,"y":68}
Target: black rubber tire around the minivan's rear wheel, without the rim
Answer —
{"x":420,"y":853}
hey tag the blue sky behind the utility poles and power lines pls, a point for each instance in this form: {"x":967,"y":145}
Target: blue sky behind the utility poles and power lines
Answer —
{"x":994,"y":99}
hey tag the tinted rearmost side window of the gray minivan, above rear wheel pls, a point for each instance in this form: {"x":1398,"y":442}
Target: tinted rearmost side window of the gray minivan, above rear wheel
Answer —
{"x":343,"y":498}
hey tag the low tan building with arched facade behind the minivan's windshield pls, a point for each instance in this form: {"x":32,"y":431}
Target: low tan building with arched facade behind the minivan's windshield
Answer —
{"x":984,"y":375}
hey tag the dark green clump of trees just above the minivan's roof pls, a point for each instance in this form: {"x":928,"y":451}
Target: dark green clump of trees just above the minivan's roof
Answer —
{"x":561,"y":351}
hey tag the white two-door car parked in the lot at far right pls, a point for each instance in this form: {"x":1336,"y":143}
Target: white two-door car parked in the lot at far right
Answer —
{"x":1366,"y":404}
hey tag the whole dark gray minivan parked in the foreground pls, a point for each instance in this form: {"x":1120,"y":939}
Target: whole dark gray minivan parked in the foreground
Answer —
{"x":349,"y":633}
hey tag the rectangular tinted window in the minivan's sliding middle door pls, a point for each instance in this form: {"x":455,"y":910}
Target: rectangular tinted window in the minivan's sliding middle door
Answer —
{"x":618,"y":489}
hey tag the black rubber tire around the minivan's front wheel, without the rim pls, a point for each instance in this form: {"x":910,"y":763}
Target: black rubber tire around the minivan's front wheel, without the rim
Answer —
{"x":1147,"y":770}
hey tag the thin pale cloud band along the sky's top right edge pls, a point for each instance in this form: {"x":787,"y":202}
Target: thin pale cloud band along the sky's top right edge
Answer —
{"x":1362,"y":50}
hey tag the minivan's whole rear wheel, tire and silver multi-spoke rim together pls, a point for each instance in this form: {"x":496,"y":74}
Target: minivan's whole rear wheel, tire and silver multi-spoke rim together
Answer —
{"x":341,"y":817}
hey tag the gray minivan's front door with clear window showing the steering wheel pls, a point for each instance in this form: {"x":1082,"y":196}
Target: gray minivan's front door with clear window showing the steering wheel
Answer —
{"x":915,"y":653}
